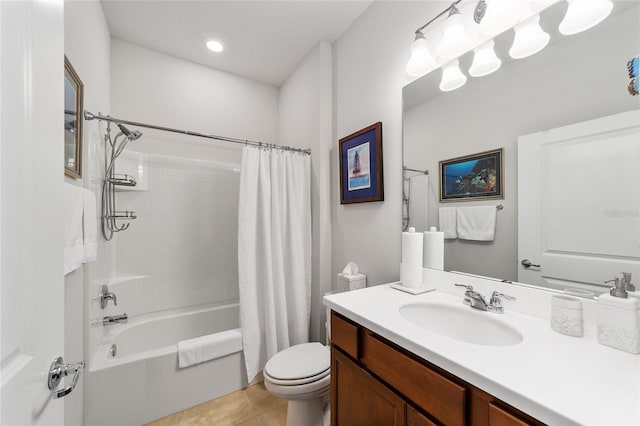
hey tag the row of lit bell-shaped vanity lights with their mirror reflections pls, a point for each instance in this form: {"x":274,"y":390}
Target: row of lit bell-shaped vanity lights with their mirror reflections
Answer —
{"x":466,"y":28}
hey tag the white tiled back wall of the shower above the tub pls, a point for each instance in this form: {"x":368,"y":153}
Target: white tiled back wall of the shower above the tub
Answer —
{"x":181,"y":251}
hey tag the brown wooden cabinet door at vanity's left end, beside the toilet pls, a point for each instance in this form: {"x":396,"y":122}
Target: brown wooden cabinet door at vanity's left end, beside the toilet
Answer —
{"x":357,"y":399}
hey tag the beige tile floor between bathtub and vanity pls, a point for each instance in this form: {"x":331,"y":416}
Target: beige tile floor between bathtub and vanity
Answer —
{"x":253,"y":406}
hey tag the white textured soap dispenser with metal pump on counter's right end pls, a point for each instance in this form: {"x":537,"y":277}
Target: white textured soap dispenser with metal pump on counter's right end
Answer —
{"x":618,"y":317}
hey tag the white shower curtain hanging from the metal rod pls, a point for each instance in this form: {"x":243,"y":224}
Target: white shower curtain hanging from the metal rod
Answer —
{"x":274,"y":253}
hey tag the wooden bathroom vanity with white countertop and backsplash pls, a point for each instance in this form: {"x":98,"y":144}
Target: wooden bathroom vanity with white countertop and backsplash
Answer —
{"x":387,"y":369}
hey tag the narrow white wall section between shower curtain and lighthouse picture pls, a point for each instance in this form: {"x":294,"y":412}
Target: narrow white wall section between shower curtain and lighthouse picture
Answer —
{"x":305,"y":121}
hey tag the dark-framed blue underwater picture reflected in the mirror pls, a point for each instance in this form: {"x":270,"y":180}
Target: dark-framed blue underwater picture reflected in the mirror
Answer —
{"x":472,"y":177}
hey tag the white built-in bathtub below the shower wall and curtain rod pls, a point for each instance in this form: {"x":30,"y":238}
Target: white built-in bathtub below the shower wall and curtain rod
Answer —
{"x":142,"y":382}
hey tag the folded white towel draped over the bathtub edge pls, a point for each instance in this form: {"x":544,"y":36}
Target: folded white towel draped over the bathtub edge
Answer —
{"x":205,"y":348}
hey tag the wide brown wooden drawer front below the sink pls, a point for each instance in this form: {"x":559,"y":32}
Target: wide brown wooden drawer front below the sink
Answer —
{"x":442,"y":398}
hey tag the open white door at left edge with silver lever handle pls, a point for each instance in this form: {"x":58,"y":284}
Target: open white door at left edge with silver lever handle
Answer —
{"x":31,"y":219}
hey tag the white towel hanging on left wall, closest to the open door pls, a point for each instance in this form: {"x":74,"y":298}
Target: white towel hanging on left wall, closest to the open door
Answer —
{"x":73,"y":238}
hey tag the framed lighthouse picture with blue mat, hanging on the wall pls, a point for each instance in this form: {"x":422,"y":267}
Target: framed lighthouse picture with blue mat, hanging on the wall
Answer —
{"x":361,"y":166}
